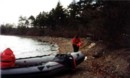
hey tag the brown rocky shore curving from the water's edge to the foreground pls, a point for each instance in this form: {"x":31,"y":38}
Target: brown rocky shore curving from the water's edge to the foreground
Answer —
{"x":101,"y":62}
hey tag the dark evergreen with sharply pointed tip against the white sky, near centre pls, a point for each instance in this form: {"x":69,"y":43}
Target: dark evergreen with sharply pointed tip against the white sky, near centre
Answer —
{"x":57,"y":16}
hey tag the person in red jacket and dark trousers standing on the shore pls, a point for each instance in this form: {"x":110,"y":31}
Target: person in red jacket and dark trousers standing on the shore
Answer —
{"x":76,"y":43}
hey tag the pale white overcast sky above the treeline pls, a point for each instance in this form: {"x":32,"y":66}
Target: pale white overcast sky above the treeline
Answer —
{"x":11,"y":10}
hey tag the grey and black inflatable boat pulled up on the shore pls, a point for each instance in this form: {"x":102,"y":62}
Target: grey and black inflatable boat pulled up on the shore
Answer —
{"x":43,"y":65}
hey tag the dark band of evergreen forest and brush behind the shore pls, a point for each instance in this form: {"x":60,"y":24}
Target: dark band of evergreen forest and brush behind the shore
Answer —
{"x":104,"y":20}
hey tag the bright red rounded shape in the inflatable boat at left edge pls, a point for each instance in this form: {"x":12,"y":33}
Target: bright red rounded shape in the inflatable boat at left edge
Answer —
{"x":7,"y":58}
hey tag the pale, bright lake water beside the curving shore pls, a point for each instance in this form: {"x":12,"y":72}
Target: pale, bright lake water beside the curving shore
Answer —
{"x":26,"y":47}
